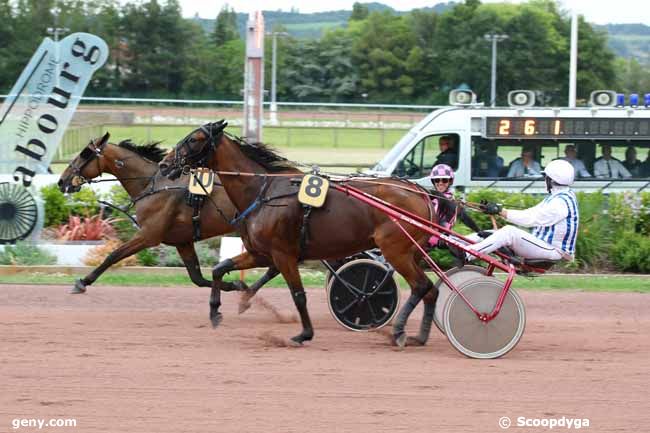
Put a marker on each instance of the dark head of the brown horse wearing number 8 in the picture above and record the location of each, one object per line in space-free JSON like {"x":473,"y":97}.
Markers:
{"x":192,"y":151}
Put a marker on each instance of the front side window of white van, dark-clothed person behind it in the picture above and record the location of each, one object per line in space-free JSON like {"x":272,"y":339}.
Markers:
{"x":428,"y":152}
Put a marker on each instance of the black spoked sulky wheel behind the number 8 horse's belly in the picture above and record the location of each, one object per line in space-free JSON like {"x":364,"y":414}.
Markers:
{"x":362,"y":304}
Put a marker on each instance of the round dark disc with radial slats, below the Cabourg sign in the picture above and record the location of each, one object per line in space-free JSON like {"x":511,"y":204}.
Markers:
{"x":18,"y":213}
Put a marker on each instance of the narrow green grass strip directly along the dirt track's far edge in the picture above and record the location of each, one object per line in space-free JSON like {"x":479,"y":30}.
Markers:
{"x":311,"y":278}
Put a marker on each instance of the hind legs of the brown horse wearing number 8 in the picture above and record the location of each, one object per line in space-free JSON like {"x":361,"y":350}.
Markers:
{"x":407,"y":266}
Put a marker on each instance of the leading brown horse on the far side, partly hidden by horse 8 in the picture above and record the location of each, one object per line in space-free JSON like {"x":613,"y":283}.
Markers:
{"x":159,"y":205}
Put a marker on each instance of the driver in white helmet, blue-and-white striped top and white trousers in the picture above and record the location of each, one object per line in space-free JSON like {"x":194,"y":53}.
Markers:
{"x":554,"y":221}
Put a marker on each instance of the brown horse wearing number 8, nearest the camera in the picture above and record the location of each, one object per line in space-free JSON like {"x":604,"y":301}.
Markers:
{"x":273,"y":219}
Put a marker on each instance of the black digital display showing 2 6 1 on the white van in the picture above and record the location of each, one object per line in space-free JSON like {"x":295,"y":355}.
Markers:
{"x":569,"y":127}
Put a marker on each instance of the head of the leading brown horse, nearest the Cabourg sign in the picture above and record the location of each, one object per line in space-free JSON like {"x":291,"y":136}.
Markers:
{"x":80,"y":169}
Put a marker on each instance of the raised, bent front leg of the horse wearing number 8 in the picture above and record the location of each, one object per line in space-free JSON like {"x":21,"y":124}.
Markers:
{"x":242,"y":261}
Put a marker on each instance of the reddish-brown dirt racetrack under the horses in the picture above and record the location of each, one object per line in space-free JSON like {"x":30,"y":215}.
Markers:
{"x":145,"y":360}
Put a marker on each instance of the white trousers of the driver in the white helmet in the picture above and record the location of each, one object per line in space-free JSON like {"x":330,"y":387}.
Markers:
{"x":520,"y":241}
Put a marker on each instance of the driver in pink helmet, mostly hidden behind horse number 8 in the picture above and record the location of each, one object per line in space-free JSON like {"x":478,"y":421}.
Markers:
{"x":442,"y":178}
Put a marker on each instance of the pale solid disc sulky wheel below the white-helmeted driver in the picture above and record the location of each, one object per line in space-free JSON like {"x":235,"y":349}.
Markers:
{"x":477,"y":339}
